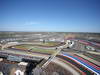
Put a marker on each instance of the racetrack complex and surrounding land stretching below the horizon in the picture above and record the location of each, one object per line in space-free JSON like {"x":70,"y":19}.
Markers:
{"x":49,"y":53}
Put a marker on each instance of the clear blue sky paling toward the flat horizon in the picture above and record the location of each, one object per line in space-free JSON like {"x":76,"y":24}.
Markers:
{"x":50,"y":15}
